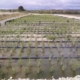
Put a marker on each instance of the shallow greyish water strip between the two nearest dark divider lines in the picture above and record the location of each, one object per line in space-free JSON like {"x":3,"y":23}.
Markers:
{"x":40,"y":52}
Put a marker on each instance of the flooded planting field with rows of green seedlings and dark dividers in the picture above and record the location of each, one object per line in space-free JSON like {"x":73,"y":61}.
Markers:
{"x":40,"y":46}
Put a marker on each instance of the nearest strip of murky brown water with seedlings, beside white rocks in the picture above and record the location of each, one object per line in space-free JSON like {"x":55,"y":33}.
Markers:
{"x":41,"y":68}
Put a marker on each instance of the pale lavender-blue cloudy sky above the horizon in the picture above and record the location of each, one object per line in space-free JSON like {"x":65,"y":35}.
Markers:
{"x":40,"y":4}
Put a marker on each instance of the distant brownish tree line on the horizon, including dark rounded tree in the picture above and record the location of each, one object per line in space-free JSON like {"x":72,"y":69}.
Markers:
{"x":53,"y":11}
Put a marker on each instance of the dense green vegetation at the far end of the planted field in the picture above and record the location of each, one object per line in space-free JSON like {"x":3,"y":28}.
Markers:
{"x":41,"y":18}
